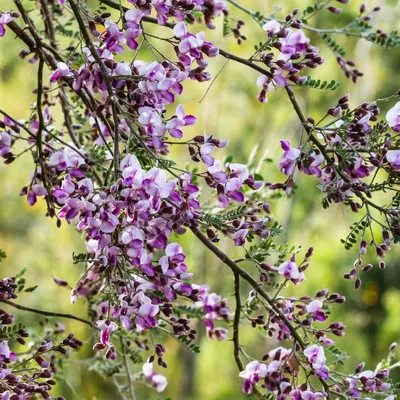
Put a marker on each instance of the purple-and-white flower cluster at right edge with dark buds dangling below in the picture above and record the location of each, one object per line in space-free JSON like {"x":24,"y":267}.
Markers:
{"x":354,"y":140}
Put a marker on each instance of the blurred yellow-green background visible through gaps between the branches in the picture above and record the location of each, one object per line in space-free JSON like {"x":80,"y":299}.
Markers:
{"x":230,"y":110}
